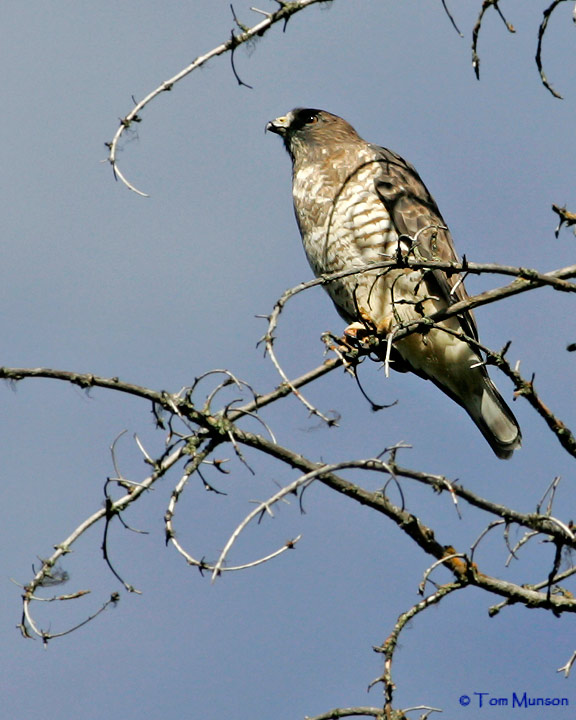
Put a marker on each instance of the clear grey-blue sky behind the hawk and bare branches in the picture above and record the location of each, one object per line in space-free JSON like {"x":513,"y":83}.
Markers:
{"x":159,"y":290}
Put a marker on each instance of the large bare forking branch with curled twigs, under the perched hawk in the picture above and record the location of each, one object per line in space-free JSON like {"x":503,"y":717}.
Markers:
{"x":197,"y":429}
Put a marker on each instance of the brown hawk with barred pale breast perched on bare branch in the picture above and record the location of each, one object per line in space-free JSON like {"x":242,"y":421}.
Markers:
{"x":356,"y":204}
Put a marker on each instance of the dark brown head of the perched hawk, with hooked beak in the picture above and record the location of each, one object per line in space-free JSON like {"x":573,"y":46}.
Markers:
{"x":303,"y":128}
